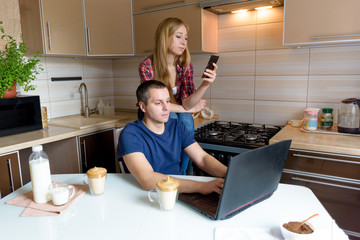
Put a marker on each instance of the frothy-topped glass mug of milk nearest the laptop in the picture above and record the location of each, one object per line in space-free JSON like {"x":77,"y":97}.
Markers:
{"x":166,"y":193}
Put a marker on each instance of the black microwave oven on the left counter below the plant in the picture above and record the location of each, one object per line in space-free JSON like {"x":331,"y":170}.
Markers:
{"x":19,"y":115}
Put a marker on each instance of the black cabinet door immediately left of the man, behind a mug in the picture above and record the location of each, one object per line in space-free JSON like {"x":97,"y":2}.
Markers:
{"x":97,"y":150}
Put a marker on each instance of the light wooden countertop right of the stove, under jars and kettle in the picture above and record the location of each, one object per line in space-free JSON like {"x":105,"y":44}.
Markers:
{"x":323,"y":142}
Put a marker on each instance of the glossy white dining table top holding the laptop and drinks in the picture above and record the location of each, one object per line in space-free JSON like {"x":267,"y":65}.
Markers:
{"x":124,"y":212}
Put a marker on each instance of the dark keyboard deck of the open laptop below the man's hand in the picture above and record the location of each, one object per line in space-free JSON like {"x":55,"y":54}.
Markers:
{"x":205,"y":203}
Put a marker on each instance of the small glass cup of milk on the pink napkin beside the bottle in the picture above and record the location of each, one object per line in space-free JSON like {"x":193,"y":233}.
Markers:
{"x":61,"y":193}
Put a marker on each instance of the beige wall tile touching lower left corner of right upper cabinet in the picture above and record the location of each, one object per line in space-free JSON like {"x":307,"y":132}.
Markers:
{"x":282,"y":62}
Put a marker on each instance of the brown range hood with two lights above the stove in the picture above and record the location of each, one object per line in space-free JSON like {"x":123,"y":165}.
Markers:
{"x":226,"y":6}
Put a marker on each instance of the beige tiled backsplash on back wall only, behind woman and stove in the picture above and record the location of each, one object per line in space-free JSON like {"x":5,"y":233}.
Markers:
{"x":259,"y":80}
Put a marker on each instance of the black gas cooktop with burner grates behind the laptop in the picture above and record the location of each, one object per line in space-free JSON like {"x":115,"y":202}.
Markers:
{"x":234,"y":134}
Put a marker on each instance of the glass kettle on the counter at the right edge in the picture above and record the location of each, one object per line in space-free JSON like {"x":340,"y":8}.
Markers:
{"x":349,"y":116}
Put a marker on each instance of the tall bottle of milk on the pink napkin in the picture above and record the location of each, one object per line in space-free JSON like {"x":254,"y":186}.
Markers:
{"x":40,"y":174}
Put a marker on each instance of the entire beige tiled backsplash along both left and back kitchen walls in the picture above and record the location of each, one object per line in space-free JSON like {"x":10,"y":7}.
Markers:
{"x":258,"y":79}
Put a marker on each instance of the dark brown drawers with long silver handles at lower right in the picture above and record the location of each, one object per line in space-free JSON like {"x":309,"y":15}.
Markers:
{"x":334,"y":179}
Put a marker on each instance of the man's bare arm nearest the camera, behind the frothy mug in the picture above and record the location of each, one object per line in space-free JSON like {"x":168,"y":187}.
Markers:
{"x":147,"y":178}
